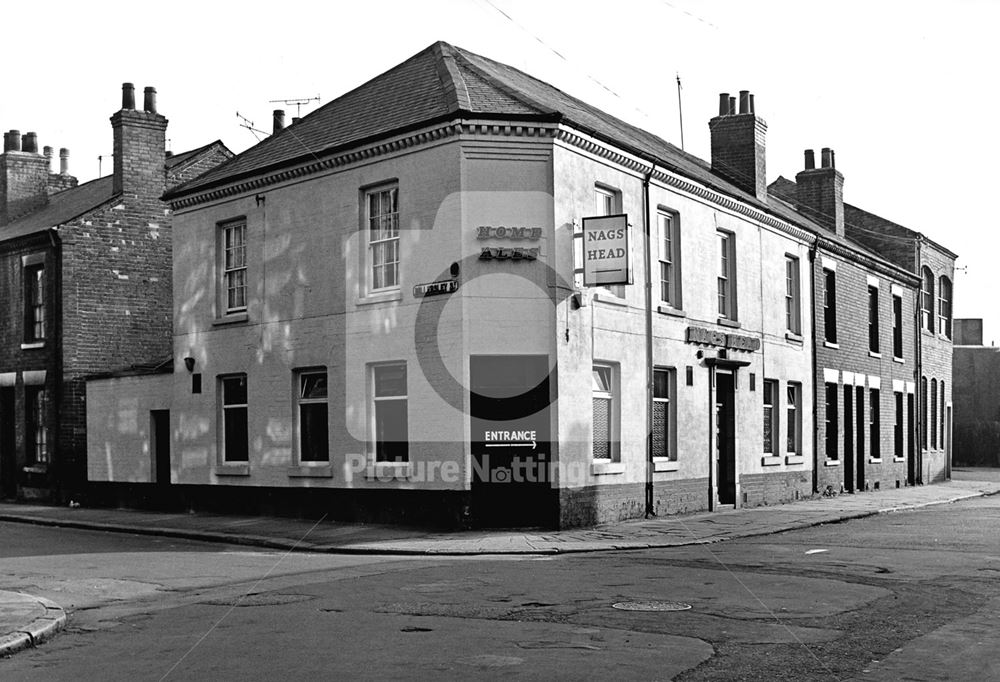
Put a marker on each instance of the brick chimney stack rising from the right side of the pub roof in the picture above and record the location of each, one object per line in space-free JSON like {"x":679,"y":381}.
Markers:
{"x":738,"y":142}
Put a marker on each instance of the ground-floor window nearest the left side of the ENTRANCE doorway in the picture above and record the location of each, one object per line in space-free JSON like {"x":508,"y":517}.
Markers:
{"x":390,"y":412}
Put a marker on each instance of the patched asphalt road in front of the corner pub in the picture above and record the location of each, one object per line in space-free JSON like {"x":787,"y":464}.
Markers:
{"x":912,"y":596}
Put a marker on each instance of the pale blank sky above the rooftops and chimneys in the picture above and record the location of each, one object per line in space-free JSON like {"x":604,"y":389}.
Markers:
{"x":904,"y":91}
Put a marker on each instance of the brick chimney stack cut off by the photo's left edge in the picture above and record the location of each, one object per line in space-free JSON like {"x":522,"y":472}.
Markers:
{"x":24,"y":175}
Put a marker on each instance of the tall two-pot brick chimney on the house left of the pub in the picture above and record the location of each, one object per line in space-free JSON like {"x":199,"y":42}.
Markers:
{"x":140,"y":144}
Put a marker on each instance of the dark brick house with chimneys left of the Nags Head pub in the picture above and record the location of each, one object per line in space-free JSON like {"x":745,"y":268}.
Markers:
{"x":85,"y":280}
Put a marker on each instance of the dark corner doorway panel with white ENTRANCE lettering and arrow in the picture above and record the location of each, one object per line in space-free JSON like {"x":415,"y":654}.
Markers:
{"x":511,"y":449}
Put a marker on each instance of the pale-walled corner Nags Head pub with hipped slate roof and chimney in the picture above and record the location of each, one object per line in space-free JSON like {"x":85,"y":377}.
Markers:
{"x":379,"y":312}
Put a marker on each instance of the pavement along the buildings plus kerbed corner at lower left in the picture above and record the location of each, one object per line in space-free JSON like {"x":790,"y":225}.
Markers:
{"x":29,"y":620}
